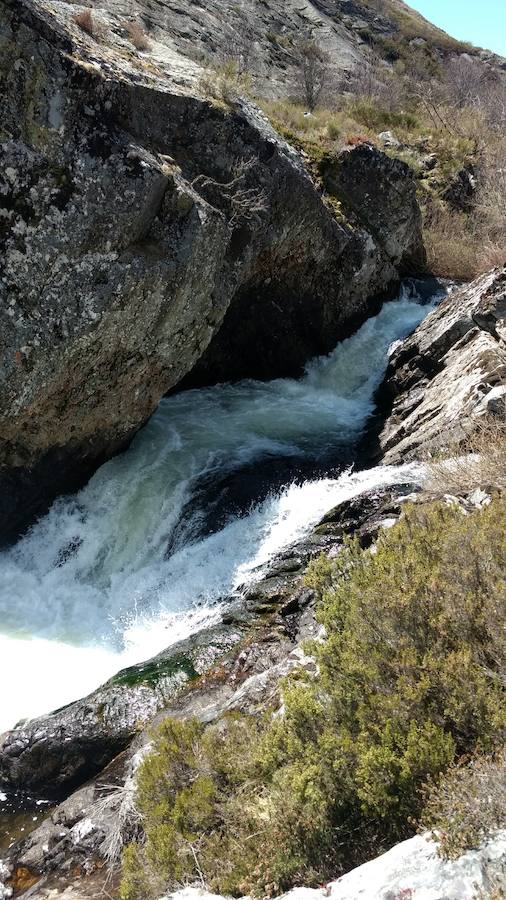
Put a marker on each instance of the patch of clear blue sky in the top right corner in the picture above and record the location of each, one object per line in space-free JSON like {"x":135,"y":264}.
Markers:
{"x":483,"y":22}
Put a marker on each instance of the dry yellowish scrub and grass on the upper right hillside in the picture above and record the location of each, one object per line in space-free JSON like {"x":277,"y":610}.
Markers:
{"x":447,"y":114}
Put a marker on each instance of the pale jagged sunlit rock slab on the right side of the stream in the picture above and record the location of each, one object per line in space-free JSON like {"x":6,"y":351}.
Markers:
{"x":449,"y":374}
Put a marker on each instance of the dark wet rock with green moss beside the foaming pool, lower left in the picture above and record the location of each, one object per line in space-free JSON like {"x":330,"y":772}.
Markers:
{"x":52,"y":754}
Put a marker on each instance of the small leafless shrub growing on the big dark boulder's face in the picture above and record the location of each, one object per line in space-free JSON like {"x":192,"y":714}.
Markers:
{"x":244,"y":204}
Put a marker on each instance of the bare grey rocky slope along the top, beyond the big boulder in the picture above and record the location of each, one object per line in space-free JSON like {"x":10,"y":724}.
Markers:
{"x":262,"y":36}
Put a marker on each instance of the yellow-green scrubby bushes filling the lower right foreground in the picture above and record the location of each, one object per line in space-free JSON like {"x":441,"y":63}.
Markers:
{"x":411,"y":677}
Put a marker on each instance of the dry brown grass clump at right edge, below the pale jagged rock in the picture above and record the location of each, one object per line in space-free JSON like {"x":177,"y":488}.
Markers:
{"x":477,"y":462}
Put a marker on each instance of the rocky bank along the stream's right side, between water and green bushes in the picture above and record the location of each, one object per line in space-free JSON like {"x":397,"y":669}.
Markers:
{"x":265,"y":632}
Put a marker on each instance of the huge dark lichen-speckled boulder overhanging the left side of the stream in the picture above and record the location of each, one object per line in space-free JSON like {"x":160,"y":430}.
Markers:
{"x":121,"y":254}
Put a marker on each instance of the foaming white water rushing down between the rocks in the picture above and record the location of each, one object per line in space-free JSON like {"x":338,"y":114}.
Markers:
{"x":91,"y":588}
